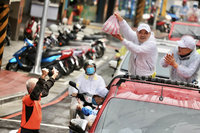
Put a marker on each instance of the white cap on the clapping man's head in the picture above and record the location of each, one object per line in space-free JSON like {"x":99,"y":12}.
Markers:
{"x":187,"y":42}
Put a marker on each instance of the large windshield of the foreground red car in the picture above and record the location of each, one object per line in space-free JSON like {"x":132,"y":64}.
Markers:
{"x":129,"y":116}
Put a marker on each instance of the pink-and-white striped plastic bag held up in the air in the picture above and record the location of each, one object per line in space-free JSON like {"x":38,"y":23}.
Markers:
{"x":111,"y":26}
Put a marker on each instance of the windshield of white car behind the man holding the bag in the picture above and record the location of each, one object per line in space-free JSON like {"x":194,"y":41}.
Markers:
{"x":160,"y":71}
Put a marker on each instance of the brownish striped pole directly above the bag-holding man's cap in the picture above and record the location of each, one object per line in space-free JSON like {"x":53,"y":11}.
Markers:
{"x":139,"y":12}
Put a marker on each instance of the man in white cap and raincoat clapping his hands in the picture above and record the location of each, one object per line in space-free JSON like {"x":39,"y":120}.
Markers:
{"x":184,"y":60}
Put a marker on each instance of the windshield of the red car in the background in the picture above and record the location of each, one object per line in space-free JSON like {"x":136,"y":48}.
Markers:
{"x":180,"y":30}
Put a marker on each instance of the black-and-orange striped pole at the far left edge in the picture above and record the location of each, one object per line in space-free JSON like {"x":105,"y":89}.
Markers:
{"x":4,"y":9}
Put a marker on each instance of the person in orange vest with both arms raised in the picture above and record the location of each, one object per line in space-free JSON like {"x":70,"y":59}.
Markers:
{"x":31,"y":109}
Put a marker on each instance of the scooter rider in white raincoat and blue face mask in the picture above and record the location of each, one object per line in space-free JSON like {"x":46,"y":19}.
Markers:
{"x":89,"y":83}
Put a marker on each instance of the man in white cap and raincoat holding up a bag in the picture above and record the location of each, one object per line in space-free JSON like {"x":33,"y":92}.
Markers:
{"x":142,"y":46}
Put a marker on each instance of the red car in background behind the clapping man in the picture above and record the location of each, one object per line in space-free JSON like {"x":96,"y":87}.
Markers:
{"x":178,"y":29}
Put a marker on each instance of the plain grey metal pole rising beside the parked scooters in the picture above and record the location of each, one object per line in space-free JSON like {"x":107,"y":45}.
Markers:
{"x":37,"y":68}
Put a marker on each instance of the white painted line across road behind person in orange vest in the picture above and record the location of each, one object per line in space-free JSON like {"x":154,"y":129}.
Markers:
{"x":42,"y":124}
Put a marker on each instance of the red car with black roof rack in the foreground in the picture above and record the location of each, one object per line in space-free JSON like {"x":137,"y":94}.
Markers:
{"x":145,"y":105}
